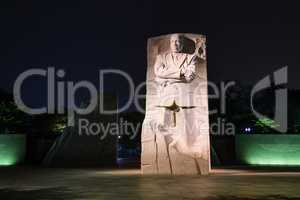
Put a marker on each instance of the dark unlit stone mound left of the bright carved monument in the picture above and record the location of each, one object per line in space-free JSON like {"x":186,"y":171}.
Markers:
{"x":86,"y":149}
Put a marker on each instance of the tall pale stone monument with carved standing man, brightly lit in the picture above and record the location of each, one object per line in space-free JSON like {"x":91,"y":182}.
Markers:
{"x":175,"y":133}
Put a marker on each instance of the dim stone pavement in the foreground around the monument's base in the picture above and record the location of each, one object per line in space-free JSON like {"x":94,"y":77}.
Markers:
{"x":97,"y":184}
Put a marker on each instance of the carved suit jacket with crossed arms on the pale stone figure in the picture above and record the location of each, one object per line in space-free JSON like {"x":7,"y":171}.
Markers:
{"x":173,"y":87}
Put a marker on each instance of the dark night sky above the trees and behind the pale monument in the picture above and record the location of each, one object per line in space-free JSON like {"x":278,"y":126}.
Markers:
{"x":246,"y":41}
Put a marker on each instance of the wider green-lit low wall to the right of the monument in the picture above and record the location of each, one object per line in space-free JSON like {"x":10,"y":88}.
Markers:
{"x":275,"y":150}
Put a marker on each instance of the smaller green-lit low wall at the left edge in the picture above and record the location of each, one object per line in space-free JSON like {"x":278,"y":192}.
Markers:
{"x":12,"y":149}
